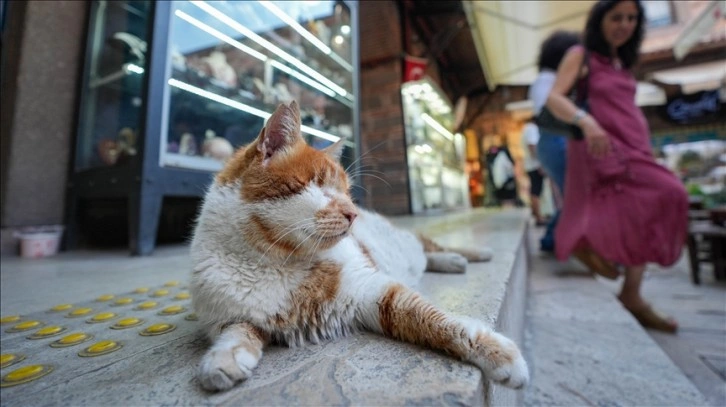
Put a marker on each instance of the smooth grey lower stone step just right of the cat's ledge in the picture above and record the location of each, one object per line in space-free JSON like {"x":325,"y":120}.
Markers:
{"x":584,"y":348}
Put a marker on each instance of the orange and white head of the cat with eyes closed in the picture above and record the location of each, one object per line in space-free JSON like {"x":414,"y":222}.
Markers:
{"x":297,"y":197}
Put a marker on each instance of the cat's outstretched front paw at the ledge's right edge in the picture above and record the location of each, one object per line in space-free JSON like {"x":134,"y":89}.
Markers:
{"x":499,"y":358}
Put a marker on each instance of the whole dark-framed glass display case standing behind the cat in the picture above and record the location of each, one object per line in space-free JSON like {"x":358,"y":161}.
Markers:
{"x":159,"y":124}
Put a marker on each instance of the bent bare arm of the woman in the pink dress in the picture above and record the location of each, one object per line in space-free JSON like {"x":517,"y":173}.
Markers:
{"x":562,"y":107}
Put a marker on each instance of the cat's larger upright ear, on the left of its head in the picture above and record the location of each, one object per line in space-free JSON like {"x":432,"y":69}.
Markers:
{"x":281,"y":132}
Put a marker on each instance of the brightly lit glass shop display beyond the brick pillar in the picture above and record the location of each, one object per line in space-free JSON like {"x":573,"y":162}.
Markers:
{"x":436,"y":157}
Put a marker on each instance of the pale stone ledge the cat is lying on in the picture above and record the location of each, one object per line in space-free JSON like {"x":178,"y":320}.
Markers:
{"x":363,"y":369}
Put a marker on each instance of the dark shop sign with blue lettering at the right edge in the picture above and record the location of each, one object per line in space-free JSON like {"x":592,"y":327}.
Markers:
{"x":700,"y":107}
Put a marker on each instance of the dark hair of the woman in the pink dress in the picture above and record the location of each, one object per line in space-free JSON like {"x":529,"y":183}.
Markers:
{"x":594,"y":40}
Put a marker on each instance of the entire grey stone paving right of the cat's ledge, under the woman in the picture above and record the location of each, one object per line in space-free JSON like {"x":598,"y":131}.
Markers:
{"x":584,"y":348}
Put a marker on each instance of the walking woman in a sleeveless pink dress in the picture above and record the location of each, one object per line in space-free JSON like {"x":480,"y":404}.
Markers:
{"x":618,"y":200}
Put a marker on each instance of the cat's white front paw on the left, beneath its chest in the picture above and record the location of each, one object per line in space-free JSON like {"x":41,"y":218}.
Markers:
{"x":222,"y":368}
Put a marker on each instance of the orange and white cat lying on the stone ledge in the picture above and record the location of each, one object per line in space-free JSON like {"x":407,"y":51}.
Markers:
{"x":282,"y":255}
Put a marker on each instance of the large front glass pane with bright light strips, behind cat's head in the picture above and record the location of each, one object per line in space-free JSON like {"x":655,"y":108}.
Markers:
{"x":231,"y":63}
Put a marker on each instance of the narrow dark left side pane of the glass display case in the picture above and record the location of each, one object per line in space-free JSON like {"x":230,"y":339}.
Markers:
{"x":112,"y":100}
